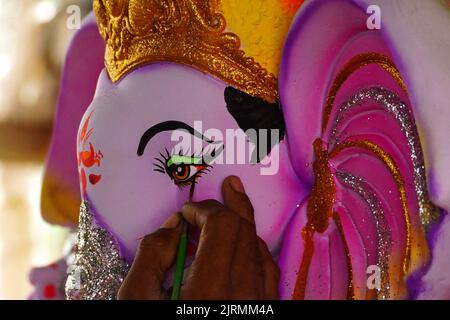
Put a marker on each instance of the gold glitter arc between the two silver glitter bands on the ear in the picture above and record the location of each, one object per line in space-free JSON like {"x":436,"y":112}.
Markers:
{"x":395,"y":172}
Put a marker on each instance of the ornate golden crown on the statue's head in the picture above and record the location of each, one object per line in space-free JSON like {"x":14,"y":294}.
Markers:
{"x":190,"y":32}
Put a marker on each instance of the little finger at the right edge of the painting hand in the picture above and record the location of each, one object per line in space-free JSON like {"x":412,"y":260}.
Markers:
{"x":271,"y":271}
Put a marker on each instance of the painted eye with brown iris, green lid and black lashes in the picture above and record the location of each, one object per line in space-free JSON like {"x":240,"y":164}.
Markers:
{"x":183,"y":170}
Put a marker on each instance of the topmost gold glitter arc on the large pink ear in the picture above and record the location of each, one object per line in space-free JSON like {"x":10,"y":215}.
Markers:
{"x":354,"y":64}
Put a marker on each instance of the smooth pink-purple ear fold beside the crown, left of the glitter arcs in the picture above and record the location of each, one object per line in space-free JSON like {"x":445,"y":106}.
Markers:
{"x":311,"y":50}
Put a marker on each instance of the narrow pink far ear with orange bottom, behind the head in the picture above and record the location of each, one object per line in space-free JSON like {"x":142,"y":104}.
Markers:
{"x":60,"y":197}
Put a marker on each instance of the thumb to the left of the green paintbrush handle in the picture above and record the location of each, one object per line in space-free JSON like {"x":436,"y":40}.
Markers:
{"x":154,"y":257}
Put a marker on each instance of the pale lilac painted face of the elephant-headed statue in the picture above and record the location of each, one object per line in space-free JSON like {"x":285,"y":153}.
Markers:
{"x":133,"y":194}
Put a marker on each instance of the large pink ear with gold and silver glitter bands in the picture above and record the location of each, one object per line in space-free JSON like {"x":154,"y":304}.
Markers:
{"x":341,"y":84}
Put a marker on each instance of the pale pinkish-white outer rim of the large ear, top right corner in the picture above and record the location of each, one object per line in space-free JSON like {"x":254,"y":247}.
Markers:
{"x":418,"y":35}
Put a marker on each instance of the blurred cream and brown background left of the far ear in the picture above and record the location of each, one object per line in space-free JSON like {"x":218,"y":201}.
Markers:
{"x":34,"y":35}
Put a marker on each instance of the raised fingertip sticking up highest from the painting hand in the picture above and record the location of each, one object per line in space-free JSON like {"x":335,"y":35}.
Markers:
{"x":236,"y":199}
